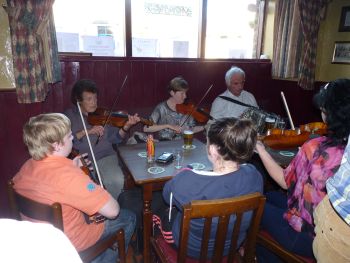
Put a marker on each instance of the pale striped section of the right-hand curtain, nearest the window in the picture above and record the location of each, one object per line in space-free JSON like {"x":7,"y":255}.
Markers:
{"x":288,"y":40}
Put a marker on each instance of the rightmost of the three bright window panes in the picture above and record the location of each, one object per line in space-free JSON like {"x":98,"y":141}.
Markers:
{"x":230,"y":28}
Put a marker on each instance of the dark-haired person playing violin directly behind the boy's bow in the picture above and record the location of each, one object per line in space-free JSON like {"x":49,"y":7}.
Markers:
{"x":102,"y":138}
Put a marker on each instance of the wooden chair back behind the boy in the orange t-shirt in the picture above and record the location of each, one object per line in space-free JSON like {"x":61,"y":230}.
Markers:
{"x":21,"y":205}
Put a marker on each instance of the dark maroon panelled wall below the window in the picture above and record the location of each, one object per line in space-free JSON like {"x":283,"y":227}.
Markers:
{"x":146,"y":86}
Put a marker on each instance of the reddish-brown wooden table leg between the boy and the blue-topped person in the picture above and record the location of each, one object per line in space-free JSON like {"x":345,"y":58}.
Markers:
{"x":147,"y":221}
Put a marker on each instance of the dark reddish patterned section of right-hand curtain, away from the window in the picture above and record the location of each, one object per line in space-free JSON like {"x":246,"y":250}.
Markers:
{"x":311,"y":13}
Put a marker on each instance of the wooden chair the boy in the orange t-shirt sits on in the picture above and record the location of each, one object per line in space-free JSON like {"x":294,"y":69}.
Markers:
{"x":21,"y":205}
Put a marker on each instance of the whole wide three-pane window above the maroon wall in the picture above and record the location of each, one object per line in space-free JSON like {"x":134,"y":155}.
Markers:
{"x":159,"y":28}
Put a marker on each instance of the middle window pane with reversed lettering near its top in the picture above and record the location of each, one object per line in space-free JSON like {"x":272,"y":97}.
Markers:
{"x":165,"y":28}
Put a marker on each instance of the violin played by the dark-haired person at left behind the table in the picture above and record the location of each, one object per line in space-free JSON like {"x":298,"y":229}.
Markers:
{"x":117,"y":119}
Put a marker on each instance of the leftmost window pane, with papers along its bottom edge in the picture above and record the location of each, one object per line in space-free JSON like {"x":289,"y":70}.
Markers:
{"x":90,"y":26}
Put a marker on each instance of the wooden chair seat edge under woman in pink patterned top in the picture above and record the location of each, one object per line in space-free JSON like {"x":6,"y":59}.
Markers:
{"x":265,"y":239}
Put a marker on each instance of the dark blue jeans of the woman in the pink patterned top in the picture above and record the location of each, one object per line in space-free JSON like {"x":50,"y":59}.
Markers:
{"x":273,"y":222}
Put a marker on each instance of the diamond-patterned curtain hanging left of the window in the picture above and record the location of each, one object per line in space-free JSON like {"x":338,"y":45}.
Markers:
{"x":34,"y":48}
